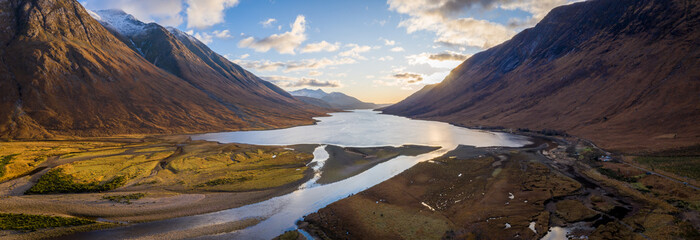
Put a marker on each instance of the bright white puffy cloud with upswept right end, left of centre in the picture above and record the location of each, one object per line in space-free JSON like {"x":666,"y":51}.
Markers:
{"x":284,"y":43}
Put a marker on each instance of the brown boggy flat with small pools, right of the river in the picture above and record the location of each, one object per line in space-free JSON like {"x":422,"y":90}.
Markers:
{"x":506,"y":193}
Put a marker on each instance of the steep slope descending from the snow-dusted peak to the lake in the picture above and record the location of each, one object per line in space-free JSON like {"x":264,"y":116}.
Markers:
{"x":253,"y":99}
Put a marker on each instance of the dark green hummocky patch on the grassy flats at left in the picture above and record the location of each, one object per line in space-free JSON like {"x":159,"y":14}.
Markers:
{"x":55,"y":181}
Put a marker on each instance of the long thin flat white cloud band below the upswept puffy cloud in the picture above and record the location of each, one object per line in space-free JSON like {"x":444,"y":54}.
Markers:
{"x":295,"y":65}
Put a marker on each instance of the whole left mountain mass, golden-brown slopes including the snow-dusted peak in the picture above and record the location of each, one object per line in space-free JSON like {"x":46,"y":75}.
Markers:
{"x":63,"y":73}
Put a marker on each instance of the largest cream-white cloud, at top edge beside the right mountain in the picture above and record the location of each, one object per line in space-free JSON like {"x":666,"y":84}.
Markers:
{"x":443,"y":17}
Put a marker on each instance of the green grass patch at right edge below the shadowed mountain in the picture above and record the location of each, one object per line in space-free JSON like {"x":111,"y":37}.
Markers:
{"x":686,"y":166}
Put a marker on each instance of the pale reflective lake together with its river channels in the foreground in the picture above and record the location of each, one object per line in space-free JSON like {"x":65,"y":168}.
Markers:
{"x":360,"y":128}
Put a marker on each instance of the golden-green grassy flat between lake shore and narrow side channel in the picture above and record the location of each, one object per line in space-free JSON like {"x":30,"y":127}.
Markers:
{"x":254,"y":167}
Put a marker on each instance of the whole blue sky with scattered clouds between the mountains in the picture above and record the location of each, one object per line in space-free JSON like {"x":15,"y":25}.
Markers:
{"x":378,"y":51}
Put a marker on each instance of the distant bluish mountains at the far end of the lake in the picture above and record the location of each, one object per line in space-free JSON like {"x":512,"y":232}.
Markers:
{"x":335,"y":99}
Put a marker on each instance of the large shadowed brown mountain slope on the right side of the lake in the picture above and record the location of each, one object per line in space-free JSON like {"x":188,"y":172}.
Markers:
{"x":623,"y":73}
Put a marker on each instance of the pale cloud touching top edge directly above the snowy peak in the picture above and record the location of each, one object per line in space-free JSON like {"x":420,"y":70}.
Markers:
{"x":164,"y":12}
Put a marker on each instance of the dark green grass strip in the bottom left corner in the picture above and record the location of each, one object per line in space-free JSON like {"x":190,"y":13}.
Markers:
{"x":25,"y":222}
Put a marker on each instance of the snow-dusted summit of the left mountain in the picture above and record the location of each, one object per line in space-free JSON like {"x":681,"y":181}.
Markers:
{"x":120,"y":21}
